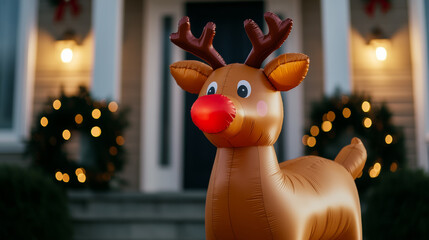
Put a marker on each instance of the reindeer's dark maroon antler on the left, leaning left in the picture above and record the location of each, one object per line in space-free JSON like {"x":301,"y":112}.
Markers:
{"x":201,"y":47}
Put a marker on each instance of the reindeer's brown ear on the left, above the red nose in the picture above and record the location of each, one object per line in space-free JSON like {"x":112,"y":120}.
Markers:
{"x":190,"y":75}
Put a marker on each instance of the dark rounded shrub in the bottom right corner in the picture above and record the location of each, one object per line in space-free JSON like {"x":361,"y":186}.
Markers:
{"x":398,"y":207}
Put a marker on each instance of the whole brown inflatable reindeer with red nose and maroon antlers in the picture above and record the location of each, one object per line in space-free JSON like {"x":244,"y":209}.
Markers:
{"x":240,"y":110}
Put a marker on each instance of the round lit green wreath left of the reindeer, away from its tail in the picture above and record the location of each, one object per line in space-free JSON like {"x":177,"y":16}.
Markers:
{"x":95,"y":127}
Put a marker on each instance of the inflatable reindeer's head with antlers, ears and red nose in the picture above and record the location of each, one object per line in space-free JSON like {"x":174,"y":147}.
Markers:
{"x":239,"y":104}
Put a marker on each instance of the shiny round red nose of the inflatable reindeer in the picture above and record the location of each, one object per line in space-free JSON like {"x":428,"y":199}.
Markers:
{"x":213,"y":113}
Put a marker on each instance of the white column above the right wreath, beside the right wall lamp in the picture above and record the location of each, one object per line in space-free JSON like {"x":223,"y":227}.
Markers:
{"x":336,"y":41}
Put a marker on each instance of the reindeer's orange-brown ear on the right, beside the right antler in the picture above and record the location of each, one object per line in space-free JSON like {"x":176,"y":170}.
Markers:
{"x":287,"y":70}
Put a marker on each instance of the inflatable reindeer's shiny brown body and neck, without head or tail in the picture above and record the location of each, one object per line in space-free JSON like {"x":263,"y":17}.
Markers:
{"x":251,"y":197}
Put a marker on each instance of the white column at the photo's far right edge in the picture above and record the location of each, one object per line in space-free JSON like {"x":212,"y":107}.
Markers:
{"x":419,"y":50}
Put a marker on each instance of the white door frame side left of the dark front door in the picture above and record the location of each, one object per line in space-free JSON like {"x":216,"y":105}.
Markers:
{"x":153,"y":176}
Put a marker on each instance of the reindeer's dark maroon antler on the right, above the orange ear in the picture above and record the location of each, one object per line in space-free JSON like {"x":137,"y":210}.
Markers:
{"x":264,"y":45}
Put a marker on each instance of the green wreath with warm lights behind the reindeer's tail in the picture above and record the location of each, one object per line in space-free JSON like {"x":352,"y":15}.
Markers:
{"x":336,"y":120}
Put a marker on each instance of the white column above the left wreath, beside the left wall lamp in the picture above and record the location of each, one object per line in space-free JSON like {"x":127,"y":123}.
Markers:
{"x":107,"y":20}
